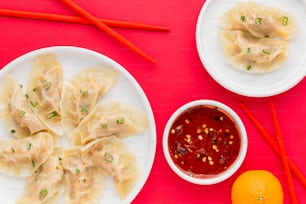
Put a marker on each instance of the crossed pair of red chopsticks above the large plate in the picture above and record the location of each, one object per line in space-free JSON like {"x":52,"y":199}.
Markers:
{"x":87,"y":18}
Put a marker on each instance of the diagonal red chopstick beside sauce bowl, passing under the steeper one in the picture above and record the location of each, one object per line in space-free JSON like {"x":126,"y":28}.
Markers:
{"x":273,"y":145}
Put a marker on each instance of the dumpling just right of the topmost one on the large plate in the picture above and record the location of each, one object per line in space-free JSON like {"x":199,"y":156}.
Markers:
{"x":81,"y":93}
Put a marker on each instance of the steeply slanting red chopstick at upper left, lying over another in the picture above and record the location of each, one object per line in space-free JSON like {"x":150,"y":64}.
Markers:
{"x":92,"y":19}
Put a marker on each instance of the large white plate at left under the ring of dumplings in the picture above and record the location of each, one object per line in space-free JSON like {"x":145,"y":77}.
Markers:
{"x":126,"y":90}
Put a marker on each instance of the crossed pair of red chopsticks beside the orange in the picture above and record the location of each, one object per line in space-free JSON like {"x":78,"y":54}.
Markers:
{"x":279,"y":149}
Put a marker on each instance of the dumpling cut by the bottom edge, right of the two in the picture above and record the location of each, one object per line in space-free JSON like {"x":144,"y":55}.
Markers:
{"x":83,"y":184}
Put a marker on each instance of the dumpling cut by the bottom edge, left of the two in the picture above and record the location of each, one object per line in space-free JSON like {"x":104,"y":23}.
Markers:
{"x":44,"y":185}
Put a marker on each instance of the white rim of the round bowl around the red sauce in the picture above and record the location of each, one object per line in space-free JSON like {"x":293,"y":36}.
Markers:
{"x":218,"y":177}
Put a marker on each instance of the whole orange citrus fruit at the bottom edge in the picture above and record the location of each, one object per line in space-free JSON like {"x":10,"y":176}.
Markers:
{"x":257,"y":187}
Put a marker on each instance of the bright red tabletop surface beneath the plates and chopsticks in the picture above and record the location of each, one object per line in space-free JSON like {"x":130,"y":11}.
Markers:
{"x":177,"y":78}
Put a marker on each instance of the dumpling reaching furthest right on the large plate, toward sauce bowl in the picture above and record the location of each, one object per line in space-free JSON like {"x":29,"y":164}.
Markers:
{"x":110,"y":119}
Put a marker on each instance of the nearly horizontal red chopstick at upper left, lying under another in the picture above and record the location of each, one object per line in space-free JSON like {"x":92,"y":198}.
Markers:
{"x":74,"y":19}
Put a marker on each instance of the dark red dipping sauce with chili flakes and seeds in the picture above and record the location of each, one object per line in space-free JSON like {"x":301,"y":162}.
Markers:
{"x":204,"y":140}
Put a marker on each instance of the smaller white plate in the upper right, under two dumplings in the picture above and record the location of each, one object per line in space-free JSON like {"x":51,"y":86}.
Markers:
{"x":212,"y":55}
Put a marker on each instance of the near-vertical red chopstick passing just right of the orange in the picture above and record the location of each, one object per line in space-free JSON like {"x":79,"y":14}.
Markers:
{"x":283,"y":155}
